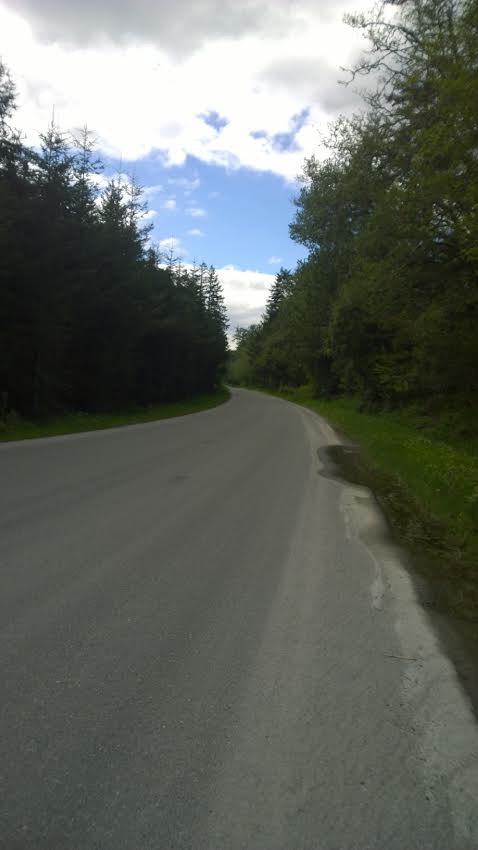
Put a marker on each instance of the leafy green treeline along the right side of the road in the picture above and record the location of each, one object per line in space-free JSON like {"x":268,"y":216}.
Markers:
{"x":386,"y":304}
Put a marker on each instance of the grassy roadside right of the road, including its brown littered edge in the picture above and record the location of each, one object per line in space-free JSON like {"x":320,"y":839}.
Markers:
{"x":426,"y":478}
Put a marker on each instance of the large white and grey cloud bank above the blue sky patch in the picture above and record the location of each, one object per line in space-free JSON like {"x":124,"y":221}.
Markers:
{"x":255,"y":64}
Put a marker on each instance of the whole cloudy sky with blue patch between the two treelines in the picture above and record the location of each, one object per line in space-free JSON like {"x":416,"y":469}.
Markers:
{"x":212,"y":104}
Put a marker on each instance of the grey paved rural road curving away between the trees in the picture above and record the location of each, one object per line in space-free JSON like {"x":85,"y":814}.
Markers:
{"x":208,"y":645}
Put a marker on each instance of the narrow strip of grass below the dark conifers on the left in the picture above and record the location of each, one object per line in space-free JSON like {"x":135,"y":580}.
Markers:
{"x":72,"y":423}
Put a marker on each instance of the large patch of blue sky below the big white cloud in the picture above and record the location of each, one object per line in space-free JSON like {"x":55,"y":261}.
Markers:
{"x":228,"y":217}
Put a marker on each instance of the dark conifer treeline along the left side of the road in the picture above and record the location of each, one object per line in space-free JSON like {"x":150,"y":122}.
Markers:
{"x":91,"y":317}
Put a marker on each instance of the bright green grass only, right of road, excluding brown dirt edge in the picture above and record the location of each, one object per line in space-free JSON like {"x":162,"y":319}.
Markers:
{"x":424,"y":456}
